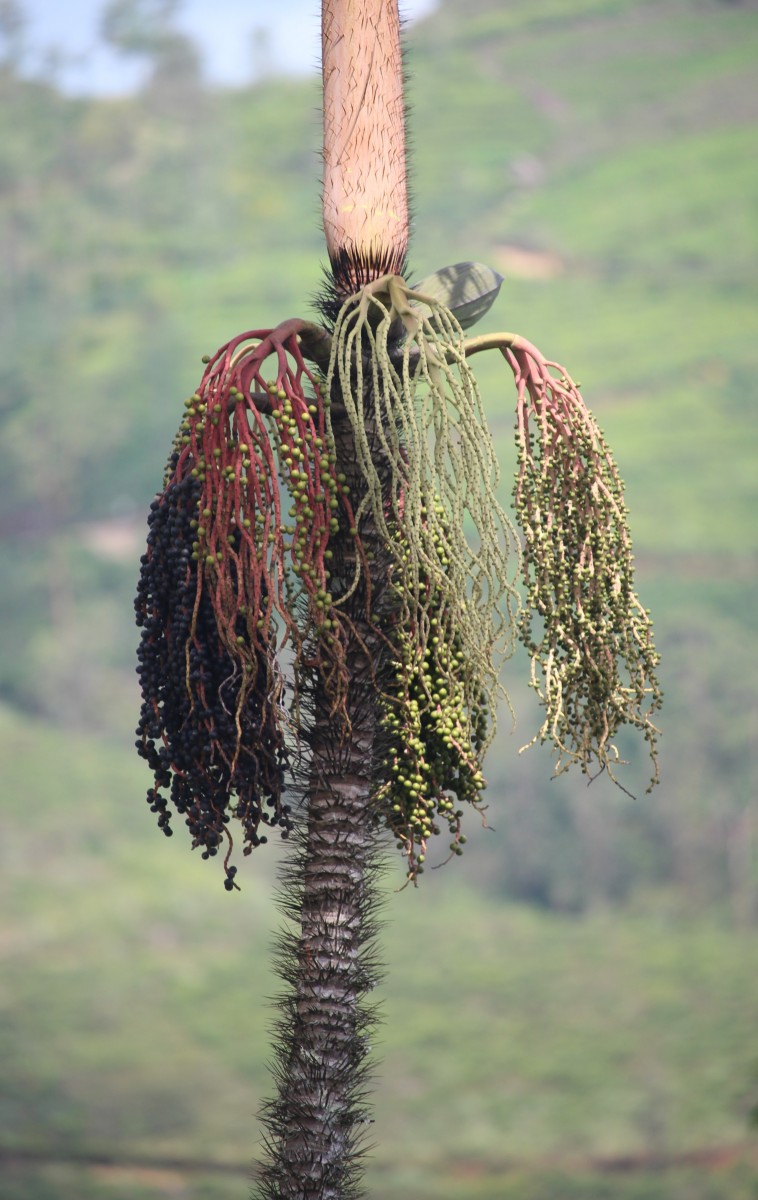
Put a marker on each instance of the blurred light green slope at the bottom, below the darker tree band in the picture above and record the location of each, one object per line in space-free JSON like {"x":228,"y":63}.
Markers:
{"x":521,"y":1053}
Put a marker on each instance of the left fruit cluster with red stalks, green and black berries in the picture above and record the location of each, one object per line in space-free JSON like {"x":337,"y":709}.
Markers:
{"x":230,"y":579}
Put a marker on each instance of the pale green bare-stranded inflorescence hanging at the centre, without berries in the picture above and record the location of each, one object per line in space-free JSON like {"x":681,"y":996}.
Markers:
{"x":431,"y":491}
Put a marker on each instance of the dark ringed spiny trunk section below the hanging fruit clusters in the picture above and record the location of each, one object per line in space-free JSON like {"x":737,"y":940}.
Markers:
{"x":316,"y":1126}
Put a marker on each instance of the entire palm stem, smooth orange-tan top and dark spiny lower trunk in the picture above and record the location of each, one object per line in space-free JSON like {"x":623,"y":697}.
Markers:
{"x":316,"y":1124}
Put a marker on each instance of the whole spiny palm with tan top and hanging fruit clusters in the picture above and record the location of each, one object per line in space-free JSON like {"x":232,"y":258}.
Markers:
{"x":396,"y":622}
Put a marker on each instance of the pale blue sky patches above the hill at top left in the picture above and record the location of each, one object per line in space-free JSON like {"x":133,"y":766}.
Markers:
{"x":224,"y":29}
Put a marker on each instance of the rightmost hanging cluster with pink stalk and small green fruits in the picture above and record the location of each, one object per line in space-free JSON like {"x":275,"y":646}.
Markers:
{"x":591,"y":641}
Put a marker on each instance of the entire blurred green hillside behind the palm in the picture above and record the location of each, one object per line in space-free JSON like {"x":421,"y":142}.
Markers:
{"x":581,"y":987}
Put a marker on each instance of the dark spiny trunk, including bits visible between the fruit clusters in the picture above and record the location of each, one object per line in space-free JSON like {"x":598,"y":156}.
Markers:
{"x":317,"y":1123}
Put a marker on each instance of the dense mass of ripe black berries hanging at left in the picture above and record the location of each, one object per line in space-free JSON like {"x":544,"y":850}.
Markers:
{"x":214,"y":746}
